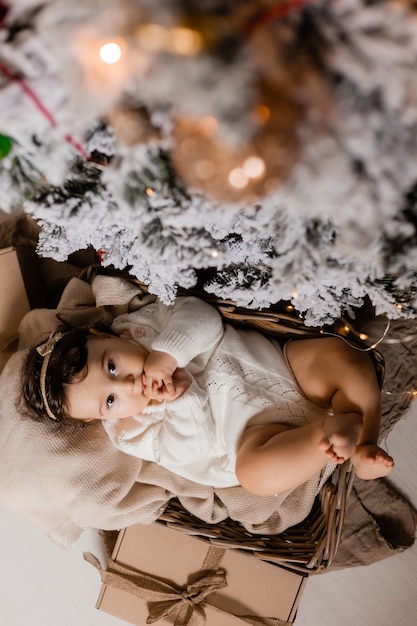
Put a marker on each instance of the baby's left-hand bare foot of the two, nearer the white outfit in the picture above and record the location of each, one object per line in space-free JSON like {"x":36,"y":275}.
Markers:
{"x":341,"y":435}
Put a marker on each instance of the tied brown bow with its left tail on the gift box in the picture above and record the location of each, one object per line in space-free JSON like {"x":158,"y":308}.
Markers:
{"x":186,"y":604}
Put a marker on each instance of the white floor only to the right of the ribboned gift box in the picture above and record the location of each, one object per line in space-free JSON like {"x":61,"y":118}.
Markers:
{"x":383,"y":594}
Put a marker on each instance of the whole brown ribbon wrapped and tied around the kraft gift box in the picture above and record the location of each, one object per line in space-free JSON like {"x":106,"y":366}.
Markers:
{"x":187,"y":603}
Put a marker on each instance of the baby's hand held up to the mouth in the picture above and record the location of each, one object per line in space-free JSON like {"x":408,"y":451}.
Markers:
{"x":157,"y":379}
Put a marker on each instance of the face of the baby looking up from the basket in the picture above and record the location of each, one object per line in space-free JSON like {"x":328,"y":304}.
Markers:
{"x":113,"y":387}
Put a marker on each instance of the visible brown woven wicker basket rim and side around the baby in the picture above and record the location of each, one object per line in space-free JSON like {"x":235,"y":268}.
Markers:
{"x":311,"y":545}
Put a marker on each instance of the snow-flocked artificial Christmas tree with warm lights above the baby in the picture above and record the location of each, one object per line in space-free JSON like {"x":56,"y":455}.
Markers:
{"x":270,"y":141}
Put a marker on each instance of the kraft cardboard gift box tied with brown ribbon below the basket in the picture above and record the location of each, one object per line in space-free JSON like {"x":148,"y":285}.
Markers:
{"x":153,"y":569}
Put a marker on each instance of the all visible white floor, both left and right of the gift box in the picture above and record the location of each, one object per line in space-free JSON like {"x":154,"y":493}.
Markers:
{"x":42,"y":585}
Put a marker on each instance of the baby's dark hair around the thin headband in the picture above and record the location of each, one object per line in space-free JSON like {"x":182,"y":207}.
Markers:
{"x":68,"y":361}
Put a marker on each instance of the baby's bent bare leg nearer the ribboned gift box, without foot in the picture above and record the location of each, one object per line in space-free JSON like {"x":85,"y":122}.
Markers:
{"x":276,"y":457}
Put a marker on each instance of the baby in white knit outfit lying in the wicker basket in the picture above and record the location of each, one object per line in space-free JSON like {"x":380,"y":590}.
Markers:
{"x":219,"y":406}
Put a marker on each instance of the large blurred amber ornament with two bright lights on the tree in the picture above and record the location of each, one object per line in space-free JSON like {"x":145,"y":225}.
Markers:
{"x":247,"y":170}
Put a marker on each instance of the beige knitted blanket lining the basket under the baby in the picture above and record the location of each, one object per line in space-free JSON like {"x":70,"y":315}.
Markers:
{"x":66,"y":478}
